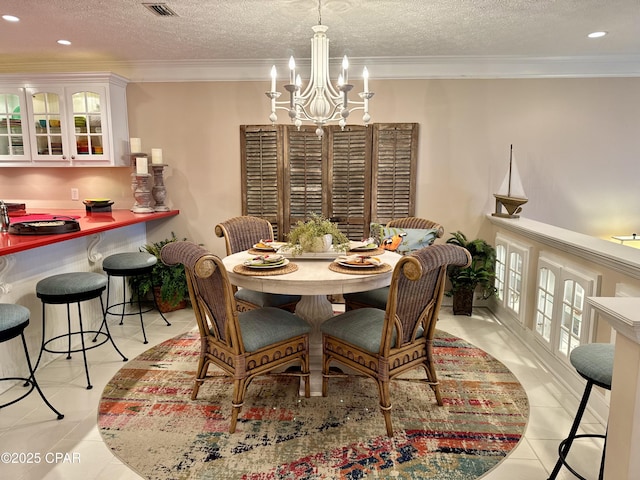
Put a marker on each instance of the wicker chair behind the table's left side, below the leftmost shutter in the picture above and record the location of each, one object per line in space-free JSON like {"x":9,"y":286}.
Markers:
{"x":240,"y":234}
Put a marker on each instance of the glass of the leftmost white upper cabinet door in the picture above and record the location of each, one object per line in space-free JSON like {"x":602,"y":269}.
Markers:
{"x":13,"y":131}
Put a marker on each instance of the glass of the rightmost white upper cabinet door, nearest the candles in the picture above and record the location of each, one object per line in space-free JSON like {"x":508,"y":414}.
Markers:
{"x":87,"y":118}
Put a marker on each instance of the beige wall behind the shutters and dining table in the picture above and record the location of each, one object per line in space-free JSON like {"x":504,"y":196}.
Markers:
{"x":575,"y":141}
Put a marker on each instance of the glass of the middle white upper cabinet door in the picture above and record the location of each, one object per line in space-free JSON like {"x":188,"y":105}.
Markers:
{"x":47,"y":116}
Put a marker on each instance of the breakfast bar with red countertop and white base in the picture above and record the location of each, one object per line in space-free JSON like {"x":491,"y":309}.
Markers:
{"x":27,"y":259}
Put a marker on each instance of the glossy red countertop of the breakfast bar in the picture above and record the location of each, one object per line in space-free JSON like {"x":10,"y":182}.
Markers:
{"x":90,"y":224}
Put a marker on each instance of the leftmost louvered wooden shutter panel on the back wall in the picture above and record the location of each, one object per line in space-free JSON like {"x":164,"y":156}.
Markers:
{"x":261,"y":156}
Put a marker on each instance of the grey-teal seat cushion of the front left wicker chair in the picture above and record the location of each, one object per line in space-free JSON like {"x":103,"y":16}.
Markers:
{"x":265,"y":326}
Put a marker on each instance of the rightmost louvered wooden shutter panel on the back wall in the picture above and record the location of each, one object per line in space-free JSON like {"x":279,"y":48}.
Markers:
{"x":394,"y":170}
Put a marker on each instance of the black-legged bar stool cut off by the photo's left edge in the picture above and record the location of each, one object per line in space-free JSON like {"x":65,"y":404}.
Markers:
{"x":13,"y":320}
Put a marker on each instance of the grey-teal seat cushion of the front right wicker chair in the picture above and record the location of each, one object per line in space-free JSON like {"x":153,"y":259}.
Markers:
{"x":361,"y":327}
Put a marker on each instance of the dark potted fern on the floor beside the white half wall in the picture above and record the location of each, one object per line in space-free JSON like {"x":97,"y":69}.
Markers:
{"x":479,"y":275}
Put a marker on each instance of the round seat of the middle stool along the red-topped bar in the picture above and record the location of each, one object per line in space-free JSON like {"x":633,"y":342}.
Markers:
{"x":71,"y":287}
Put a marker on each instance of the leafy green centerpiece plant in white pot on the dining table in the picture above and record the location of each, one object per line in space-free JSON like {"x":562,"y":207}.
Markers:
{"x":317,"y":234}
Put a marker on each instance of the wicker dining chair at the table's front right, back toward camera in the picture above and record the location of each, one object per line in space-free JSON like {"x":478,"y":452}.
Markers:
{"x":383,"y":344}
